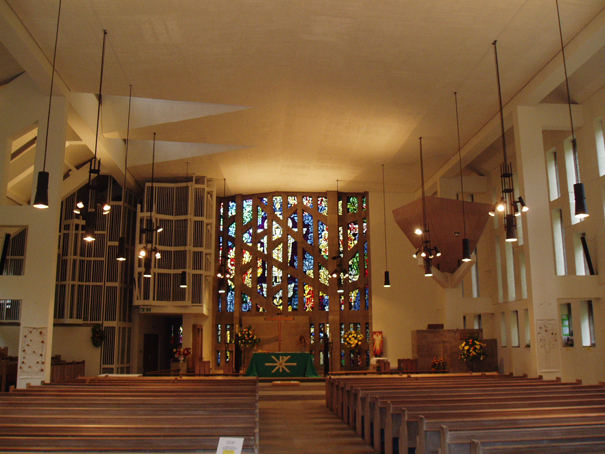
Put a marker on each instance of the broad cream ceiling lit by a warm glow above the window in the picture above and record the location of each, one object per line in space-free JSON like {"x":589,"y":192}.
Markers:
{"x":310,"y":92}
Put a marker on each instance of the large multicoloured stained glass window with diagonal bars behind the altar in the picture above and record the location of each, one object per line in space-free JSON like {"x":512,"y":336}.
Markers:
{"x":282,"y":251}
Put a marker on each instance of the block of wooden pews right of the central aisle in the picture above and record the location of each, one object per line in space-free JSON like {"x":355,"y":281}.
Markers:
{"x":470,"y":414}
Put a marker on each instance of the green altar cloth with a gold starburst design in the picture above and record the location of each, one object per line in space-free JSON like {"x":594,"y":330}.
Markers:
{"x":281,"y":365}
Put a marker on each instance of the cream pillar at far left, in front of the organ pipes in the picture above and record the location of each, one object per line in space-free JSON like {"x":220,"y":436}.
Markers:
{"x":36,"y":287}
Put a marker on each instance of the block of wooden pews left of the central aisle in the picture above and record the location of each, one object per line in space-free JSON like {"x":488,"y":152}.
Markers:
{"x":116,"y":414}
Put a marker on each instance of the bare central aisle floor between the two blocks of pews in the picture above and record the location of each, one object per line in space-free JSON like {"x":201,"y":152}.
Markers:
{"x":295,"y":420}
